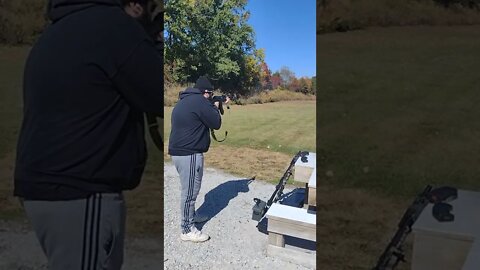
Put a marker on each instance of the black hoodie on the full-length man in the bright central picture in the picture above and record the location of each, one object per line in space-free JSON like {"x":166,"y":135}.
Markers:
{"x":192,"y":118}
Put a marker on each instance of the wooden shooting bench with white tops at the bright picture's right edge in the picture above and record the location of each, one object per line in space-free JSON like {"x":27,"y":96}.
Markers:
{"x":295,"y":223}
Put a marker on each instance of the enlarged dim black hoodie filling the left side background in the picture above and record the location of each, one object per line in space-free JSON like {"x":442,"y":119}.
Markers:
{"x":88,"y":80}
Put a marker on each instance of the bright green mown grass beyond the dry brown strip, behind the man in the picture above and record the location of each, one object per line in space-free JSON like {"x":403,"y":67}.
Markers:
{"x":285,"y":127}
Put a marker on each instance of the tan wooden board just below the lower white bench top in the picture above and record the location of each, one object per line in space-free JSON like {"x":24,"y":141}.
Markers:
{"x":292,"y":229}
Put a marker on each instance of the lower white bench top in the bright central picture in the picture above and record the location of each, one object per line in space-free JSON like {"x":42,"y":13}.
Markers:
{"x":291,"y":214}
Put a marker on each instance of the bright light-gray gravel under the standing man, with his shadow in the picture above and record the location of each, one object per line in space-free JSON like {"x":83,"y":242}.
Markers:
{"x":235,"y":241}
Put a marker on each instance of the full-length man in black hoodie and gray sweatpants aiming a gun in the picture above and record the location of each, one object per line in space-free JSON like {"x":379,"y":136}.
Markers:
{"x":192,"y":118}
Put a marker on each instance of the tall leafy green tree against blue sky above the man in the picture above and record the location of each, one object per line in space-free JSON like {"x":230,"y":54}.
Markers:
{"x":213,"y":38}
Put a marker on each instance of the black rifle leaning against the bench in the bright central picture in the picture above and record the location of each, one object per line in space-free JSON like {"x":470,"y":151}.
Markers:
{"x":260,"y":208}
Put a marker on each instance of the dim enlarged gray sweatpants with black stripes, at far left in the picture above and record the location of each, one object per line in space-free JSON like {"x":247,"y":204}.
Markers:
{"x":84,"y":234}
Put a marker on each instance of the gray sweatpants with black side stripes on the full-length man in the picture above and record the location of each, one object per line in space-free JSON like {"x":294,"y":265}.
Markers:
{"x":190,"y":169}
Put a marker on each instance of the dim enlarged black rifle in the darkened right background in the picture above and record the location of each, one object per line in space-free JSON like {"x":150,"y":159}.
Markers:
{"x":394,"y":252}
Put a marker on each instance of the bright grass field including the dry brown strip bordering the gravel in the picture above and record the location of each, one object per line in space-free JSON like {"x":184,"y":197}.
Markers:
{"x":262,"y":138}
